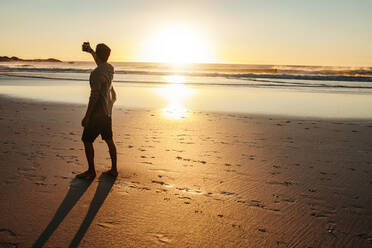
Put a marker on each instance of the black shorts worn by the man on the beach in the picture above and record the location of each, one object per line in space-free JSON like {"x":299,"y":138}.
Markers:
{"x":101,"y":126}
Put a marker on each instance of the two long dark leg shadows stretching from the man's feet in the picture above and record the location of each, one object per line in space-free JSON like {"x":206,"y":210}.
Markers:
{"x":77,"y":189}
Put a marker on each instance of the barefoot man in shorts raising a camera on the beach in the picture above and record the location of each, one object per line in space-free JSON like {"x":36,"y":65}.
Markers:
{"x":97,"y":120}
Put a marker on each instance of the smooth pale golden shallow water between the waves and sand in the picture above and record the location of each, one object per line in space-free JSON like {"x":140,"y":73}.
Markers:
{"x":332,"y":103}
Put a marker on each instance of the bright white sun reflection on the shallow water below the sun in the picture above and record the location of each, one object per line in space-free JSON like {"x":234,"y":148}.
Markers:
{"x":175,"y":94}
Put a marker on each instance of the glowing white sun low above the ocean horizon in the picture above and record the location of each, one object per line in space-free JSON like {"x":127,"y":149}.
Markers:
{"x":176,"y":44}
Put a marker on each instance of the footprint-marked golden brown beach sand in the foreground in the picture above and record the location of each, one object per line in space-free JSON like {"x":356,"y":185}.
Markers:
{"x":209,"y":180}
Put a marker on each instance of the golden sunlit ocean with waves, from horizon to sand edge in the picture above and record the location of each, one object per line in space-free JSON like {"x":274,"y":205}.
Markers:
{"x":179,"y":90}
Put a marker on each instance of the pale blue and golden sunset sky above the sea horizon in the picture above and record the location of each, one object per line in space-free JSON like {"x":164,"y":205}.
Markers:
{"x":317,"y":32}
